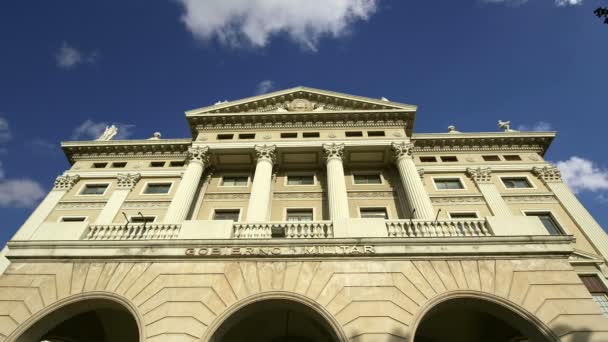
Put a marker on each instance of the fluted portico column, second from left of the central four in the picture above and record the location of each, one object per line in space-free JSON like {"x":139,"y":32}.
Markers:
{"x":259,"y":201}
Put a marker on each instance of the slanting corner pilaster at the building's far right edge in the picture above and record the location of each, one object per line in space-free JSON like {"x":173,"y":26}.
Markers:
{"x":551,"y":176}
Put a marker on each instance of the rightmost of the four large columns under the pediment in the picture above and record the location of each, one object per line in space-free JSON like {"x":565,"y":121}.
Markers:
{"x":415,"y":193}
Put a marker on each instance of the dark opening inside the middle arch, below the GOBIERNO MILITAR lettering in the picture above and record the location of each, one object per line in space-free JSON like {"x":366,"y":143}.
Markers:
{"x":275,"y":320}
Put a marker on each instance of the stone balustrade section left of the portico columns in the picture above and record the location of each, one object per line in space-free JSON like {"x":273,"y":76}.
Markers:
{"x":150,"y":231}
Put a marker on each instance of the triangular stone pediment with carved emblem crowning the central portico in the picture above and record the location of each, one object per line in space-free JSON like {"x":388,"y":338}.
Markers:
{"x":301,"y":99}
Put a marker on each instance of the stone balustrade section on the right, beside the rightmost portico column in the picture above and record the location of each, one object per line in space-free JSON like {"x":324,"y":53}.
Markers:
{"x":444,"y":228}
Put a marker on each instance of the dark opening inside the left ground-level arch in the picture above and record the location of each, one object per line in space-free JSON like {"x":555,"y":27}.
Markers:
{"x":91,"y":320}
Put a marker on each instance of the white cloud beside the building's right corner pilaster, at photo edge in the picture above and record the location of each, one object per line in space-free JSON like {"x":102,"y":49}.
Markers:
{"x":583,"y":175}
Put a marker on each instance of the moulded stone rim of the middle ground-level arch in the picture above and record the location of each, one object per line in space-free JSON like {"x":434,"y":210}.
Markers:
{"x":314,"y":307}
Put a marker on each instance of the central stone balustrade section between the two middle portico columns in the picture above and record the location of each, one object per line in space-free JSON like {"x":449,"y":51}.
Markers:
{"x":289,"y":230}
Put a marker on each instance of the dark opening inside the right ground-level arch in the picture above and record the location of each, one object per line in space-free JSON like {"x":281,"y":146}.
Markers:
{"x":476,"y":320}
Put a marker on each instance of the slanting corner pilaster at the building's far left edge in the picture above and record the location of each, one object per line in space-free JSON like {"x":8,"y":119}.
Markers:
{"x":62,"y":185}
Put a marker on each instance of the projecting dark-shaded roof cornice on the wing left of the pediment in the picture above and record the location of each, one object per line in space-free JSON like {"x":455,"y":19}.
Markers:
{"x":125,"y":149}
